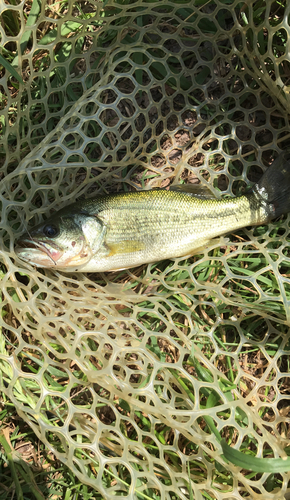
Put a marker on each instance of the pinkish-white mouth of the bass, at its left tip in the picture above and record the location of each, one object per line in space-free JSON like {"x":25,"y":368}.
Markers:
{"x":38,"y":249}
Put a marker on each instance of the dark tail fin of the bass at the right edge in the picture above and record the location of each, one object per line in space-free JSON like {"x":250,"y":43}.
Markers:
{"x":274,"y":186}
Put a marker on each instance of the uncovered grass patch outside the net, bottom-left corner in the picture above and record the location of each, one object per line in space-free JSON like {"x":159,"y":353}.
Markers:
{"x":39,"y":476}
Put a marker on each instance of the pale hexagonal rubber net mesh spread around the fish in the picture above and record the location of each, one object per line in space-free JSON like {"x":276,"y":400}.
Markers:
{"x":131,"y":377}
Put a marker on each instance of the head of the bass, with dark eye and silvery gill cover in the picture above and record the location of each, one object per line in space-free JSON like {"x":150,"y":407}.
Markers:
{"x":64,"y":240}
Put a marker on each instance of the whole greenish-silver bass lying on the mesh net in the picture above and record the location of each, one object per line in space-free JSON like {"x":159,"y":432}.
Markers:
{"x":123,"y":230}
